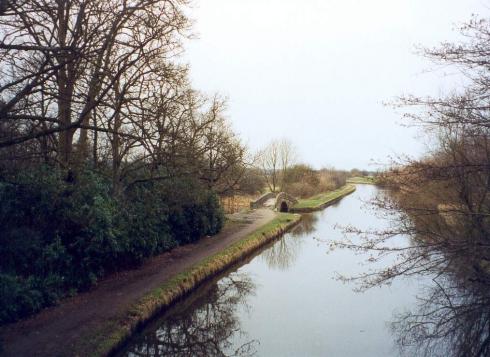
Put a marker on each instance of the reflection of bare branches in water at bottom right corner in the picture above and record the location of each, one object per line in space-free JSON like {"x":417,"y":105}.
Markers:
{"x":453,"y":318}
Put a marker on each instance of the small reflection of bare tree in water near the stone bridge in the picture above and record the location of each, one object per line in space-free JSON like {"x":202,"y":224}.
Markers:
{"x":283,"y":253}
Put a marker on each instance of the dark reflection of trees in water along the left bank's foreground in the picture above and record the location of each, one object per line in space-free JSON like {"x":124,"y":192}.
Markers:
{"x":205,"y":326}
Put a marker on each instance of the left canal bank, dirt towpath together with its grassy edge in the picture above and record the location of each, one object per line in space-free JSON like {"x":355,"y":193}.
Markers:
{"x":94,"y":323}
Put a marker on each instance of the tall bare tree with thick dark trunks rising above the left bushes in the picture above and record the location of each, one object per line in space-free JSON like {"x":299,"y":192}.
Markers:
{"x":62,"y":59}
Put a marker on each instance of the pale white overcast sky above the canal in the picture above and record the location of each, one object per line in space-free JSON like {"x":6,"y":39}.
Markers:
{"x":318,"y":71}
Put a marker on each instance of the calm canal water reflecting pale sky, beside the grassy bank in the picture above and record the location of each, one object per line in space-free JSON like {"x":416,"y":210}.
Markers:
{"x":287,"y":300}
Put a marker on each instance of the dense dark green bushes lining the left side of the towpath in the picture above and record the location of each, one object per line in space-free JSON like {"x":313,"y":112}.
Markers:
{"x":62,"y":232}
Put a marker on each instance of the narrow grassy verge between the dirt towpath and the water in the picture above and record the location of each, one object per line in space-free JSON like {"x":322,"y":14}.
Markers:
{"x":112,"y":335}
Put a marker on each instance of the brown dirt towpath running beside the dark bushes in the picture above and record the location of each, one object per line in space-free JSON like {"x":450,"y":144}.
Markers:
{"x":56,"y":330}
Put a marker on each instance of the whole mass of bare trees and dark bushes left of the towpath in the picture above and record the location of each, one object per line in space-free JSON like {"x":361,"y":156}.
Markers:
{"x":107,"y":154}
